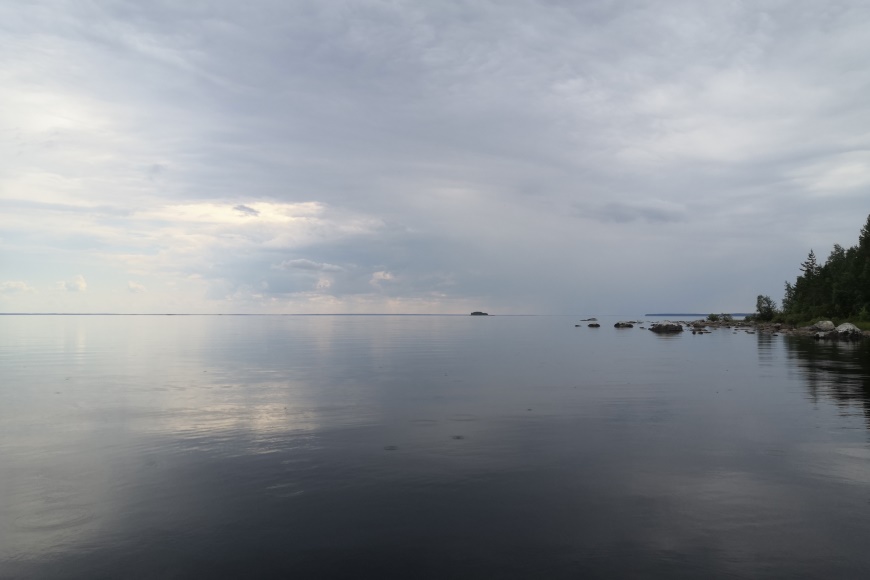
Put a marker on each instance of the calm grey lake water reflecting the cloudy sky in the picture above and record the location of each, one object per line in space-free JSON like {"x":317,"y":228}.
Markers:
{"x":426,"y":447}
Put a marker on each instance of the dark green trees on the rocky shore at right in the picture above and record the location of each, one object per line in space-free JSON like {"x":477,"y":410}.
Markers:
{"x":839,"y":288}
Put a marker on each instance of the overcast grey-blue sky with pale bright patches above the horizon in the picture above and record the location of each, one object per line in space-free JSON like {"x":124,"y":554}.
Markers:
{"x":519,"y":157}
